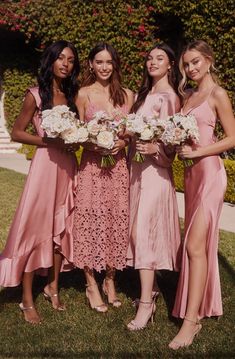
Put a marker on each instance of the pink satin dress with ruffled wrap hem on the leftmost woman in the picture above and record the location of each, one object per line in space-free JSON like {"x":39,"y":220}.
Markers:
{"x":44,"y":217}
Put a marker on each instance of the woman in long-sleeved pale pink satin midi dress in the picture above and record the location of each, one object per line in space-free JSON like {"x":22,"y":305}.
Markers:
{"x":154,"y":222}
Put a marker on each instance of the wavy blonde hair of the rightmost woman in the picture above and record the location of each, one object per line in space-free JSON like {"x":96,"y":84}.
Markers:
{"x":204,"y":49}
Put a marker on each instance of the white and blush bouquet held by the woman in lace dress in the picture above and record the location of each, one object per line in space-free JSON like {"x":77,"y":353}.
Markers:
{"x":103,"y":131}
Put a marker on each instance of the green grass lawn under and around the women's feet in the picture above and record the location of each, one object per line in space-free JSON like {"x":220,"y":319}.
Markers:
{"x":80,"y":332}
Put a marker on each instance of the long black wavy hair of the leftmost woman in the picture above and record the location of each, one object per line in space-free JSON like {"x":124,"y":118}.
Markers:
{"x":45,"y":77}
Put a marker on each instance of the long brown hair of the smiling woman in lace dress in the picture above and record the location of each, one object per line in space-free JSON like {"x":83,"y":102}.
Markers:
{"x":117,"y":92}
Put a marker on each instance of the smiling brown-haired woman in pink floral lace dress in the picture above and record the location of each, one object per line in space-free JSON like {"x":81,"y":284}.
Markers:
{"x":101,"y":204}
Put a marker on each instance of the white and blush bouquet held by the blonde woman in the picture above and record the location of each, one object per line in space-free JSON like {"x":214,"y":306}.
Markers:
{"x":179,"y":130}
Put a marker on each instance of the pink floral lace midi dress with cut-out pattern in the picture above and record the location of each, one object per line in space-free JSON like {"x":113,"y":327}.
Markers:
{"x":101,"y":210}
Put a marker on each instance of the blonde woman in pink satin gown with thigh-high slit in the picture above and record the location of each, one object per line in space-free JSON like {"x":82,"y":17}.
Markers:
{"x":199,"y":294}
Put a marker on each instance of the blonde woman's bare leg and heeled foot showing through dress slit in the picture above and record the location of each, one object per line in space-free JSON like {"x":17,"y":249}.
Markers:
{"x":196,"y":251}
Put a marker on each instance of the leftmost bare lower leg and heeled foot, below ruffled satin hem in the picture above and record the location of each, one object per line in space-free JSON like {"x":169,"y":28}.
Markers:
{"x":27,"y":305}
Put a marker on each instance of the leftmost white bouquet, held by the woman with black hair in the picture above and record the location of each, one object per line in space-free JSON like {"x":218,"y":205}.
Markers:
{"x":61,"y":122}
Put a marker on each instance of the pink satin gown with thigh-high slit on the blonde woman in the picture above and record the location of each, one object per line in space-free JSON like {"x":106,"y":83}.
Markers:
{"x":205,"y":185}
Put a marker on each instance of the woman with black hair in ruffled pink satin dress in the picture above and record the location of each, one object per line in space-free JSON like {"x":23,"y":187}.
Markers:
{"x":41,"y":233}
